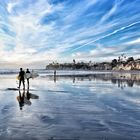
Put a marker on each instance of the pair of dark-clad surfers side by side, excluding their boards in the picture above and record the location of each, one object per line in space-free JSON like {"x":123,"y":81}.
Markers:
{"x":21,"y":76}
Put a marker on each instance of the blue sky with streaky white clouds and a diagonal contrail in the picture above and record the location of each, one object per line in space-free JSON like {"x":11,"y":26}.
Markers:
{"x":34,"y":33}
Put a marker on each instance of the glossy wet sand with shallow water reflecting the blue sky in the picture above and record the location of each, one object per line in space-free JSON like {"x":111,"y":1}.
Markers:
{"x":91,"y":107}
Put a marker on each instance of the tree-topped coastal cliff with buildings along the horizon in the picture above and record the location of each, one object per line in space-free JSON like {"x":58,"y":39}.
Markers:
{"x":122,"y":63}
